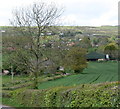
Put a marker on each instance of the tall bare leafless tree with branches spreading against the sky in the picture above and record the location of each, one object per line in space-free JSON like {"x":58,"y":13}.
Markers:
{"x":32,"y":22}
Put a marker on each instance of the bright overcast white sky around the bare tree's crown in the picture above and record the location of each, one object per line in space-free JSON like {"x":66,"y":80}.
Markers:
{"x":77,"y":12}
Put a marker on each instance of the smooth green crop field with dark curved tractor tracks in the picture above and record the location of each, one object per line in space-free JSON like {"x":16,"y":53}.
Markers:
{"x":95,"y":73}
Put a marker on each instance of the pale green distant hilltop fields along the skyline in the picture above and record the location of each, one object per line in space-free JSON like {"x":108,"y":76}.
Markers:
{"x":102,"y":31}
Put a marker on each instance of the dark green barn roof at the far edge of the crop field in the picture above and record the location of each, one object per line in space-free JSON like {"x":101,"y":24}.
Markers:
{"x":95,"y":55}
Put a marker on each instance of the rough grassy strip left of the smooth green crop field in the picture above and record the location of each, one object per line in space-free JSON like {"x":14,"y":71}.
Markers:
{"x":23,"y":81}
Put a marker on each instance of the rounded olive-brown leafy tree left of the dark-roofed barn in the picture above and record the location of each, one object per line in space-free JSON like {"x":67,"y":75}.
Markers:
{"x":75,"y":59}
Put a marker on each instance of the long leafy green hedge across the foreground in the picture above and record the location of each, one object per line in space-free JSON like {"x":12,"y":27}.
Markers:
{"x":100,"y":95}
